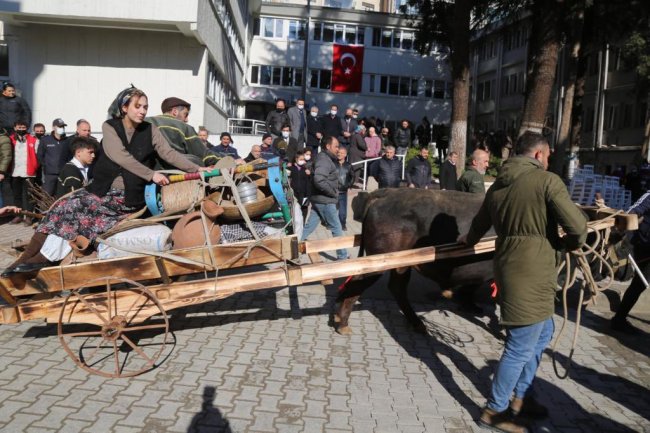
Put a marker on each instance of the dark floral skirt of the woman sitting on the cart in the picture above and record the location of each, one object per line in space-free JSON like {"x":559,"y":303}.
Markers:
{"x":85,"y":214}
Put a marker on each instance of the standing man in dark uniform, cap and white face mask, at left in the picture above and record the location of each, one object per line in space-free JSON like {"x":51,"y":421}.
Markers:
{"x":51,"y":152}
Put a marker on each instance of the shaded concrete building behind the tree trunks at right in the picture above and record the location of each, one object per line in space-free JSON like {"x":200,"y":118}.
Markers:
{"x":614,"y":117}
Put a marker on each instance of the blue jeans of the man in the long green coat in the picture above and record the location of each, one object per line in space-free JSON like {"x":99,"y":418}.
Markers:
{"x":519,"y":361}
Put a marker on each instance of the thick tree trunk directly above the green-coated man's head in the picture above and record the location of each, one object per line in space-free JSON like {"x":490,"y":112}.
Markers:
{"x":542,"y":63}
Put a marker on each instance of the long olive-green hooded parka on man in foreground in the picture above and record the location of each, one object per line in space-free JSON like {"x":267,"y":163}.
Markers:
{"x":525,"y":204}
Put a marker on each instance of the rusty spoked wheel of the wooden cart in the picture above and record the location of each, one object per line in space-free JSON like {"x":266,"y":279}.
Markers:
{"x":125,"y":327}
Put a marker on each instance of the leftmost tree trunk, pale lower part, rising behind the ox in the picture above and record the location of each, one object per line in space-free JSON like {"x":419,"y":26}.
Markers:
{"x":460,"y":74}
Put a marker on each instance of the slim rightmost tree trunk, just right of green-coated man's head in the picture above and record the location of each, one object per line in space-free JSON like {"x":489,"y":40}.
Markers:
{"x":576,"y":26}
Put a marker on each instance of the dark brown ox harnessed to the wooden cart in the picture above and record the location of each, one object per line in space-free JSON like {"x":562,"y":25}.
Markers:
{"x":402,"y":219}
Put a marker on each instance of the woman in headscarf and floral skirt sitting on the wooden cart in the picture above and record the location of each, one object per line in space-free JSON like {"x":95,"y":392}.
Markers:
{"x":124,"y":167}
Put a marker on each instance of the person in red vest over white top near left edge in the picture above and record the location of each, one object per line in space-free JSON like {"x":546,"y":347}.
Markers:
{"x":25,"y":165}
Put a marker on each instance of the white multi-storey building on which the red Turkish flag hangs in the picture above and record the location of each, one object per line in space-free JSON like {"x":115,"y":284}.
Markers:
{"x":397,"y":82}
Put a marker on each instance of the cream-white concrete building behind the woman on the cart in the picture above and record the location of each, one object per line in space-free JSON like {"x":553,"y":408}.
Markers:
{"x":69,"y":58}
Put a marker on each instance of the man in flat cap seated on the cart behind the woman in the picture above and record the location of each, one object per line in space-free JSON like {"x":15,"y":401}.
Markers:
{"x":181,"y":136}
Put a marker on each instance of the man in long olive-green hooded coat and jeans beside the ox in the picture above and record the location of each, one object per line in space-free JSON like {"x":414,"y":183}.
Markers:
{"x":525,"y":204}
